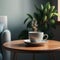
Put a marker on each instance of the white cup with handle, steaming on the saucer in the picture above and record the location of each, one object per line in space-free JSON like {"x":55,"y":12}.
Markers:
{"x":37,"y":37}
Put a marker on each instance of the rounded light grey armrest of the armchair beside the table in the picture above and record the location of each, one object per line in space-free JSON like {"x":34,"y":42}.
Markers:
{"x":6,"y":36}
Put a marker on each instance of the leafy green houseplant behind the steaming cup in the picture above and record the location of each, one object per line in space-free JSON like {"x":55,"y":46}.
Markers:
{"x":41,"y":20}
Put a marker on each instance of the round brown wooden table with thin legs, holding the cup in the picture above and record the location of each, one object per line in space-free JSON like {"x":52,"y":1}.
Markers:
{"x":19,"y":46}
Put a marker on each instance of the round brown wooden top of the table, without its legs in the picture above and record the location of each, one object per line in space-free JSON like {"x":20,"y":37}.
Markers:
{"x":19,"y":45}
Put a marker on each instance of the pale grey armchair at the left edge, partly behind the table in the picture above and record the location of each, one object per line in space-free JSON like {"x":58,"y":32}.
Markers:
{"x":5,"y":36}
